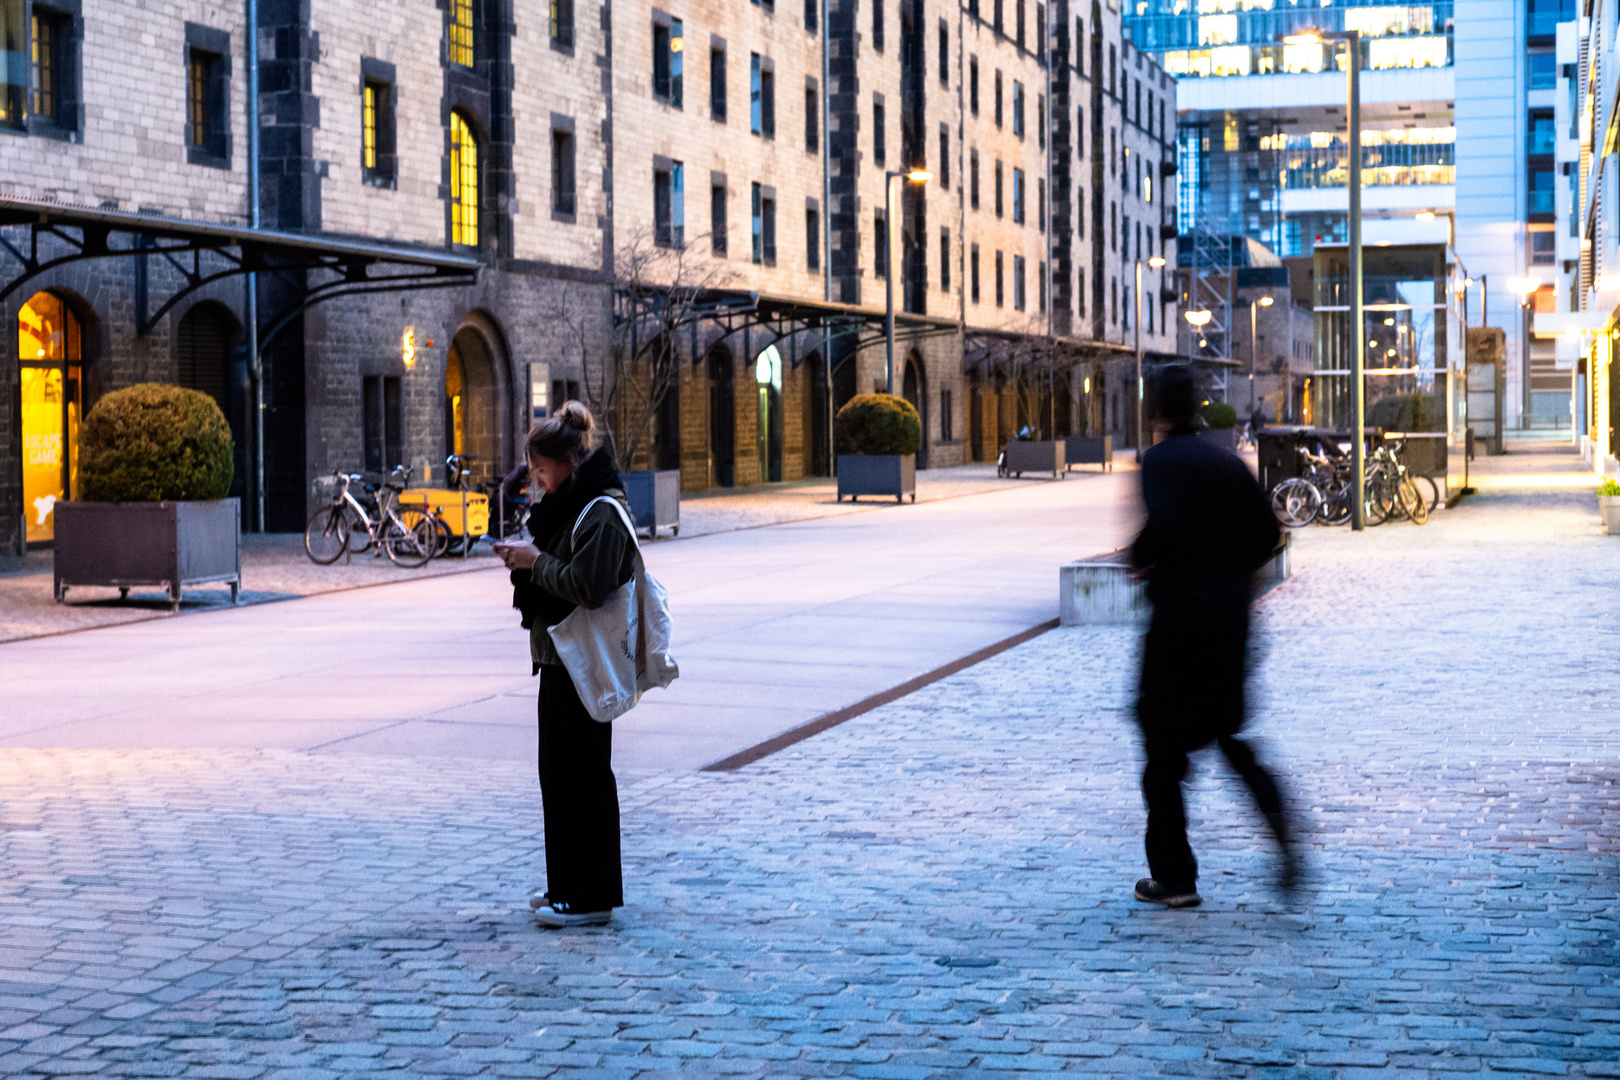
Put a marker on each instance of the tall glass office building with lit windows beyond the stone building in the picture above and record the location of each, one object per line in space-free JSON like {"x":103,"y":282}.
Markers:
{"x":1263,"y":137}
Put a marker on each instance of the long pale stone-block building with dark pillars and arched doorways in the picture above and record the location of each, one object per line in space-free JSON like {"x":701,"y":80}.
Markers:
{"x":380,"y":236}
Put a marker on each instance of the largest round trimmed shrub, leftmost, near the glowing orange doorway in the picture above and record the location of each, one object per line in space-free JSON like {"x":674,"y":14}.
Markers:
{"x":155,"y":443}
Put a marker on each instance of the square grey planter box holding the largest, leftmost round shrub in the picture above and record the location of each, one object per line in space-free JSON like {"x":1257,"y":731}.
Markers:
{"x":124,"y":545}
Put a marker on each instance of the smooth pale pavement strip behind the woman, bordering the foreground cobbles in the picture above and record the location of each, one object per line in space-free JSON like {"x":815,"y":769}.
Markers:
{"x":774,"y":627}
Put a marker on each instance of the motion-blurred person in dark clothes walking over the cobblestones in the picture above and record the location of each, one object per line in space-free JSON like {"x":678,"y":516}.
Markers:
{"x":1209,"y":529}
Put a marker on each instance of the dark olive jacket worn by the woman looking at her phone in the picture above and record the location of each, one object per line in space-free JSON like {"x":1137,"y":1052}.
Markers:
{"x":584,"y":566}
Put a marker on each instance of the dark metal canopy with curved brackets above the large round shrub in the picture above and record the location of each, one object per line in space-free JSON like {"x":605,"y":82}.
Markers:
{"x":351,"y":266}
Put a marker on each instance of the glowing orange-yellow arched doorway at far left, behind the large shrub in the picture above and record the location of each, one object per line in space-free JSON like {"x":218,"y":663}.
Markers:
{"x":51,"y":352}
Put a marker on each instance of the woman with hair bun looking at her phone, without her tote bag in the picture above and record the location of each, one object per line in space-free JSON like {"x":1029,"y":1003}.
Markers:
{"x":573,"y":563}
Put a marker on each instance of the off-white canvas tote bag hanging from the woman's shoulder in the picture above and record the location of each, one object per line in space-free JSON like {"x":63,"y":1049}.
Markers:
{"x":620,"y":650}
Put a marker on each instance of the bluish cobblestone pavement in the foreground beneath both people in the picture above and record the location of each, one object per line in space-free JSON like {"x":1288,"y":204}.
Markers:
{"x":937,"y":888}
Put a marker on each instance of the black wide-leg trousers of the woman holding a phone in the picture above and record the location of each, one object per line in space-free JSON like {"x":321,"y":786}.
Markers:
{"x":581,"y":799}
